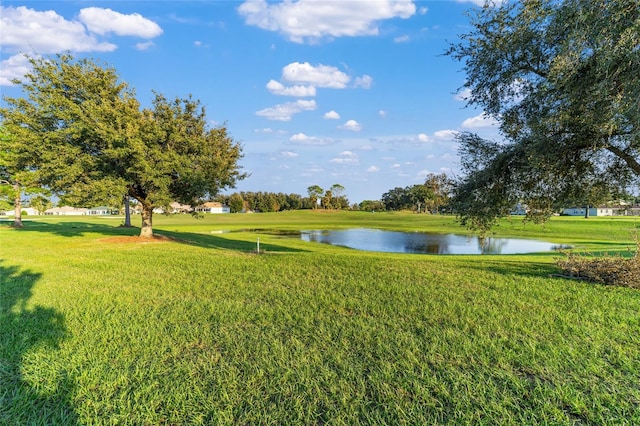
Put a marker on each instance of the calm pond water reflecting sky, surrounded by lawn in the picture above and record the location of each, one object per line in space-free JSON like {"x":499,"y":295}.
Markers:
{"x":418,"y":242}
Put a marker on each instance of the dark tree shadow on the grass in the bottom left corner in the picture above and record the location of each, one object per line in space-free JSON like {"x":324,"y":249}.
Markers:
{"x":23,"y":330}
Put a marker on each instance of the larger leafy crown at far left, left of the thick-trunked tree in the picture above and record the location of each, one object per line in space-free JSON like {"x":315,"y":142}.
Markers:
{"x":70,"y":126}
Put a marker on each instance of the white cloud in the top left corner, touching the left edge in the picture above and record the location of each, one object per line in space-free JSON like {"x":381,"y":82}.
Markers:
{"x":25,"y":29}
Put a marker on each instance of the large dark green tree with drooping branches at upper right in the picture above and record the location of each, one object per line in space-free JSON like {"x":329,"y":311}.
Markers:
{"x":562,"y":79}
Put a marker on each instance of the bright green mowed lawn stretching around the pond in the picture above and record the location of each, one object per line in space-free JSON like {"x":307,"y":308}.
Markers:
{"x":202,"y":330}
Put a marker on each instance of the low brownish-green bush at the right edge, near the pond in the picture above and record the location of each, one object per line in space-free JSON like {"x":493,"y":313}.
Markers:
{"x":610,"y":270}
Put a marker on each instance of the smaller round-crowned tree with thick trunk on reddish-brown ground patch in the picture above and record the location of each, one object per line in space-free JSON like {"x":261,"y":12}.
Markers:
{"x":177,"y":157}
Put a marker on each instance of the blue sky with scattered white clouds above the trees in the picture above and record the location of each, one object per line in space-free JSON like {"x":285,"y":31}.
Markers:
{"x":351,"y":92}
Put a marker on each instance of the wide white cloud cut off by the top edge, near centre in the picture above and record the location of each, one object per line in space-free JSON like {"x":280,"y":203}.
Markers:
{"x":312,"y":20}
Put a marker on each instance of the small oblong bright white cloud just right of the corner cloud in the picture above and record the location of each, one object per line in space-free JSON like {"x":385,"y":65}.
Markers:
{"x":104,"y":21}
